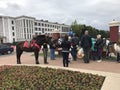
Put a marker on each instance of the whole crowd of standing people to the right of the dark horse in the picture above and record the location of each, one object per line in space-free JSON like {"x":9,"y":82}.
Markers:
{"x":92,"y":48}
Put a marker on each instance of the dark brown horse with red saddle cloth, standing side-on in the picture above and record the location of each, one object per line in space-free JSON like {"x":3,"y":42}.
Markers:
{"x":33,"y":46}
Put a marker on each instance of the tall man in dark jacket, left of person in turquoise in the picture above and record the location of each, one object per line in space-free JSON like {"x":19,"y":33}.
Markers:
{"x":86,"y":44}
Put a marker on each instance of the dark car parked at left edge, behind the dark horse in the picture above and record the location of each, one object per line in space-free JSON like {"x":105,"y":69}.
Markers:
{"x":5,"y":49}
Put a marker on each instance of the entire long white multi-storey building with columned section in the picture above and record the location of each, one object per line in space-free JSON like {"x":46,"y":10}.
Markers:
{"x":22,"y":28}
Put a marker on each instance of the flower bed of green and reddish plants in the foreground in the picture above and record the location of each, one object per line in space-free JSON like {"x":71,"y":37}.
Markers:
{"x":38,"y":78}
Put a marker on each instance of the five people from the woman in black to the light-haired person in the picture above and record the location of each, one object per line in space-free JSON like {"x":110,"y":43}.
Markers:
{"x":91,"y":47}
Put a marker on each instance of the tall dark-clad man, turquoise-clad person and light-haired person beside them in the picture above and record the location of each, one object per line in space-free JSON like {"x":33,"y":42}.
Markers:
{"x":92,"y":46}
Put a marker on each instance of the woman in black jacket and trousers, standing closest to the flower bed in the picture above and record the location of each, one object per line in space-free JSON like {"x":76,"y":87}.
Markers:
{"x":65,"y":50}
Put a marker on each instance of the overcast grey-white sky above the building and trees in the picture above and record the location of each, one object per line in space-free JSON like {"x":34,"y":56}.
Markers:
{"x":97,"y":13}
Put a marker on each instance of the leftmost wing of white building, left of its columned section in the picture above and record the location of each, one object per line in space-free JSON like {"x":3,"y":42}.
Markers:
{"x":7,"y":29}
